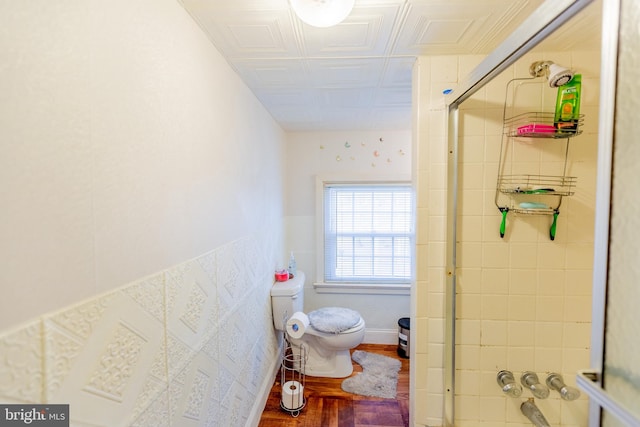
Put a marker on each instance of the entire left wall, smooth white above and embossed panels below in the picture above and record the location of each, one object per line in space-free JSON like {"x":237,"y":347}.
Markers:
{"x":142,"y":215}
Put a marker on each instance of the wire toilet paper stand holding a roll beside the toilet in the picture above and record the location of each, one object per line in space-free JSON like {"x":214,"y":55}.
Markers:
{"x":292,"y":378}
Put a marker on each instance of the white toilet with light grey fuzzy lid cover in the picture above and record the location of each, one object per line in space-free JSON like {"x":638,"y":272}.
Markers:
{"x":331,"y":333}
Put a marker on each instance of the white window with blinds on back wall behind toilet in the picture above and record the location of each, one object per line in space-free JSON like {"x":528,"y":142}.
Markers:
{"x":368,"y":233}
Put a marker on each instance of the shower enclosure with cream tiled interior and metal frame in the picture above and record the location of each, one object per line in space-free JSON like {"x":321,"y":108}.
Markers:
{"x":521,"y":303}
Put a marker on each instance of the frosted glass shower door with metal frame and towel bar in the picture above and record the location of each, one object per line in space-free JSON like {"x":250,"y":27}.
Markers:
{"x":615,"y":392}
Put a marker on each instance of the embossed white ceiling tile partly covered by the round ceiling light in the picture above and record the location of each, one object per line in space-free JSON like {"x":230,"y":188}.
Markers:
{"x":365,"y":32}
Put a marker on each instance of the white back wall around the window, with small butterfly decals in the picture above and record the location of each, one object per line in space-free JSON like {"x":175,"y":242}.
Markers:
{"x":362,"y":154}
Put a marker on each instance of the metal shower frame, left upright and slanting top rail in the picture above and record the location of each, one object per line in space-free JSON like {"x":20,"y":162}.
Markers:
{"x":551,"y":15}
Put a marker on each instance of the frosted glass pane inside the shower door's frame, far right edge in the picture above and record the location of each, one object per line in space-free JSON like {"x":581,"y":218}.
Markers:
{"x":621,"y":374}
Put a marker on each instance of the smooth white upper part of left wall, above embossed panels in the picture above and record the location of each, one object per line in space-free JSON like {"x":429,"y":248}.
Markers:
{"x":125,"y":149}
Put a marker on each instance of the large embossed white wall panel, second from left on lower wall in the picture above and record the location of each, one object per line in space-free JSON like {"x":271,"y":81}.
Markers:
{"x":115,"y":372}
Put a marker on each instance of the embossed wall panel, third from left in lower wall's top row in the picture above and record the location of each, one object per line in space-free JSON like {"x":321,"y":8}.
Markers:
{"x":193,"y":311}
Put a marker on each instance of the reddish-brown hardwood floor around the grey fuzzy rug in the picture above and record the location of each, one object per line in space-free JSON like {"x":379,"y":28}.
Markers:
{"x":329,"y":406}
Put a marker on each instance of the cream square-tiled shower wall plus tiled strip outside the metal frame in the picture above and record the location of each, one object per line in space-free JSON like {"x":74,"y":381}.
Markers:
{"x":523,"y":301}
